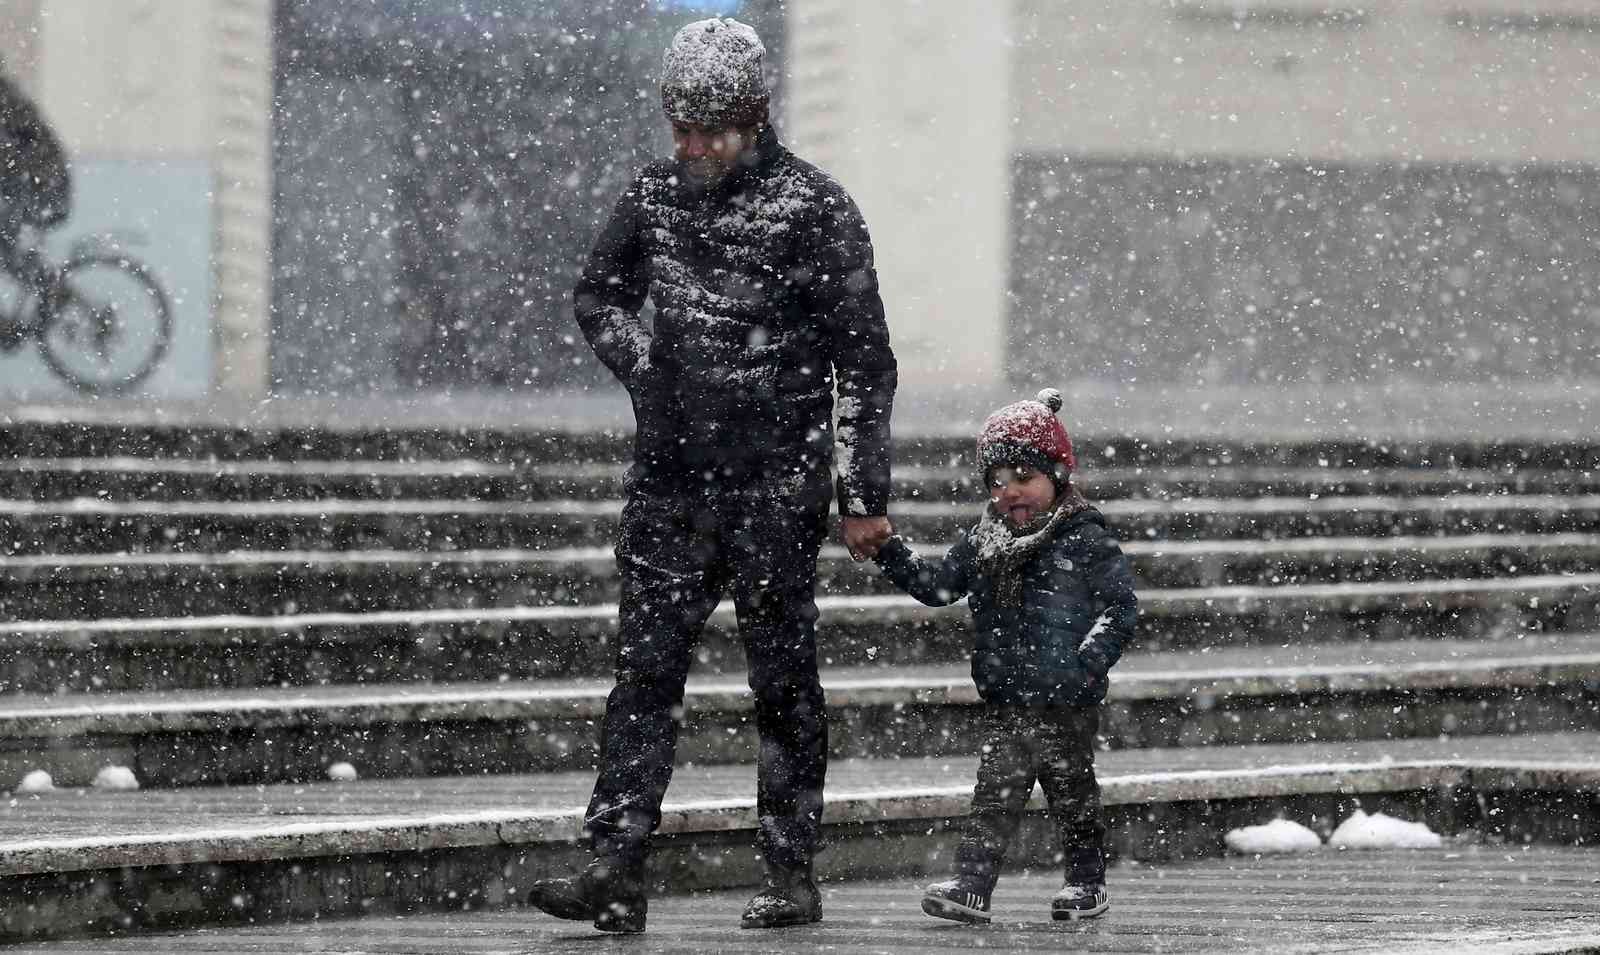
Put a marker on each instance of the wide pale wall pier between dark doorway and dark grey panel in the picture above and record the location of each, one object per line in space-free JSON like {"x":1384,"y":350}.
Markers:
{"x":908,"y":103}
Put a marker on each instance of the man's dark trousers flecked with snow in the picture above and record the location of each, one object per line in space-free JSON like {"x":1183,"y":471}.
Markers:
{"x":679,"y":549}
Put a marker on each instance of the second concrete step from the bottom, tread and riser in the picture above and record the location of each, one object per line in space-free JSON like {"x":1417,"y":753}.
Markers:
{"x":1295,"y":693}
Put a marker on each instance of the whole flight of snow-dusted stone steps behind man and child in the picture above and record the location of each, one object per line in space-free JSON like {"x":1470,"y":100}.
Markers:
{"x":228,"y":613}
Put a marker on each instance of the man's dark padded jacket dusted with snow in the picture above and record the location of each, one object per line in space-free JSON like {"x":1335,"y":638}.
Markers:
{"x":766,"y":298}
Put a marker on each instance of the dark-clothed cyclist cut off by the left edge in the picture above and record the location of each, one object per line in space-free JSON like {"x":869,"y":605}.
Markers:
{"x":34,"y":183}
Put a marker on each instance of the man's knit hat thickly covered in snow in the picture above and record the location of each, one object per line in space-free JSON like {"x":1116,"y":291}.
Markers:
{"x":711,"y":76}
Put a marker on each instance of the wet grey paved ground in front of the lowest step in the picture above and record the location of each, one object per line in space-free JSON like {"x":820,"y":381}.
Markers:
{"x":1470,"y":897}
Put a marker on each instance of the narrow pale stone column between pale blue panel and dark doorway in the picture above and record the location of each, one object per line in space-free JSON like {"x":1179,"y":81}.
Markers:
{"x":242,"y":166}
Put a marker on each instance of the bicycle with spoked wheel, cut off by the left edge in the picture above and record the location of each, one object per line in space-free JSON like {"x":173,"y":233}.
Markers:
{"x":102,"y":319}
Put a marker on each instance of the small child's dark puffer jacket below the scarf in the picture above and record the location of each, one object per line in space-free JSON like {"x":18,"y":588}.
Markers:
{"x":1078,"y":612}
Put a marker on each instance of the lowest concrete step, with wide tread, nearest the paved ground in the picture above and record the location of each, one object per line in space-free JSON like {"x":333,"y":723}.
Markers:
{"x":97,"y":863}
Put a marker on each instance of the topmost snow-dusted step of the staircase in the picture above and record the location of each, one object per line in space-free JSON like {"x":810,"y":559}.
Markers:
{"x":439,"y":430}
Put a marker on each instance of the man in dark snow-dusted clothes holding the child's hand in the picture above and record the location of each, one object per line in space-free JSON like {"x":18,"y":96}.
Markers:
{"x":767,"y":300}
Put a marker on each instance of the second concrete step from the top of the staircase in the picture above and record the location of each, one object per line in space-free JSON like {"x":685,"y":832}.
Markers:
{"x":186,"y":479}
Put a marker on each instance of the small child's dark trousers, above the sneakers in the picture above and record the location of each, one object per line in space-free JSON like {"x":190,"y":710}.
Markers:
{"x":1057,"y":748}
